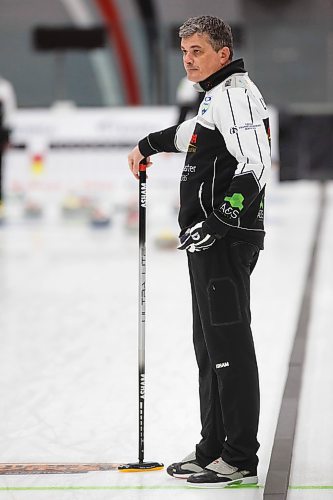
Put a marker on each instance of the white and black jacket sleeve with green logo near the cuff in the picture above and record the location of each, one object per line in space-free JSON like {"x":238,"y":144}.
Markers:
{"x":241,"y":118}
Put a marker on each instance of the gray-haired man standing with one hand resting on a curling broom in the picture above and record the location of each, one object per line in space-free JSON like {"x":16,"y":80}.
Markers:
{"x":222,"y":230}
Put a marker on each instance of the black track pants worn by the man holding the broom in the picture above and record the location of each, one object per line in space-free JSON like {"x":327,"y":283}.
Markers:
{"x":228,"y":374}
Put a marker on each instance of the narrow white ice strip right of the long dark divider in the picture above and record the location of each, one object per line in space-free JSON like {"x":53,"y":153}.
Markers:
{"x":312,"y":462}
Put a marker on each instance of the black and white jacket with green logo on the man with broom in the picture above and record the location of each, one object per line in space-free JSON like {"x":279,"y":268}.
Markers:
{"x":228,"y":157}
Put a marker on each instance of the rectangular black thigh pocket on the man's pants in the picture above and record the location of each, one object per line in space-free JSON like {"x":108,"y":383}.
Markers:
{"x":224,"y":307}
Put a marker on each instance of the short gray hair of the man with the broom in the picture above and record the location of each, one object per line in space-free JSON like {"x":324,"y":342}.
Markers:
{"x":218,"y":32}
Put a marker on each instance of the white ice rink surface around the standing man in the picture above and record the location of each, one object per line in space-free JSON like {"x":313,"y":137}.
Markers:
{"x":68,"y":352}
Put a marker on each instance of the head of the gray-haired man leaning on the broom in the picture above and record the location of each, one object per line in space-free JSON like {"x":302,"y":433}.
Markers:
{"x":206,"y":43}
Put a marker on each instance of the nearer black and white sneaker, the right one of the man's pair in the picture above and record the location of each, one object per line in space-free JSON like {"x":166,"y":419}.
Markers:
{"x":219,"y":474}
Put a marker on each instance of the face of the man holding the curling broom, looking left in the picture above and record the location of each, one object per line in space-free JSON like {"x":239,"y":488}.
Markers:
{"x":200,"y":59}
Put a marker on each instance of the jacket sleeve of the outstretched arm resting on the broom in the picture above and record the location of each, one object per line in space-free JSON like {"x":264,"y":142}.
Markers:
{"x":173,"y":139}
